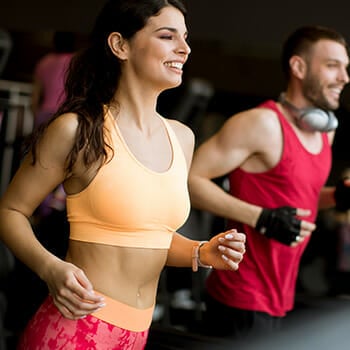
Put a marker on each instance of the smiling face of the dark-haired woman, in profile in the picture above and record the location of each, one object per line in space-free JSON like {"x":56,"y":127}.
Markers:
{"x":157,"y":52}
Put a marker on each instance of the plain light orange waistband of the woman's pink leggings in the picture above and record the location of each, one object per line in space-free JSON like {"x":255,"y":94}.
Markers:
{"x":124,"y":316}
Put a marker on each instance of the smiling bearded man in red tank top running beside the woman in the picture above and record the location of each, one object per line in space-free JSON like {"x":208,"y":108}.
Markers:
{"x":277,"y":157}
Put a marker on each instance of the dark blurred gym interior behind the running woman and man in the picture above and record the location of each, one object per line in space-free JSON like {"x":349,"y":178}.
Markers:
{"x":234,"y":65}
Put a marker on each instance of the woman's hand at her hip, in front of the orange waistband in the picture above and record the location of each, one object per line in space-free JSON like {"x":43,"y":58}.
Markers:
{"x":71,"y":290}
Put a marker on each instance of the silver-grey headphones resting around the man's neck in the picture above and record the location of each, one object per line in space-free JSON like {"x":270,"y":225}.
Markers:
{"x":311,"y":119}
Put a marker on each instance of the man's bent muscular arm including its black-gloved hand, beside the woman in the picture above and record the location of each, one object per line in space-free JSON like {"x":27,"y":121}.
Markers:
{"x":253,"y":141}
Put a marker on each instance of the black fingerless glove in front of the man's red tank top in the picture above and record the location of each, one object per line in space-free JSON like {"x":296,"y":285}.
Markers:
{"x":279,"y":224}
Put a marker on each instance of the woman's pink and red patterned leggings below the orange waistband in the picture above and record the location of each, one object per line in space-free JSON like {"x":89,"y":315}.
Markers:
{"x":49,"y":330}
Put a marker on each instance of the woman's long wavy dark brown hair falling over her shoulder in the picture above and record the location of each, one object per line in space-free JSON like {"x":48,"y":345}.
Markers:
{"x":93,"y":76}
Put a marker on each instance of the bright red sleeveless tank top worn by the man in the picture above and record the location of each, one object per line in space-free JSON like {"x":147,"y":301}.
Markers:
{"x":267,"y":275}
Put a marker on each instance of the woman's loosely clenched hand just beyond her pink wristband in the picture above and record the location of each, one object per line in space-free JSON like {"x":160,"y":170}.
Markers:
{"x":224,"y":251}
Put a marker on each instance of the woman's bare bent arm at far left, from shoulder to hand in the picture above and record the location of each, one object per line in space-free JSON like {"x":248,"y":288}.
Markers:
{"x":30,"y":185}
